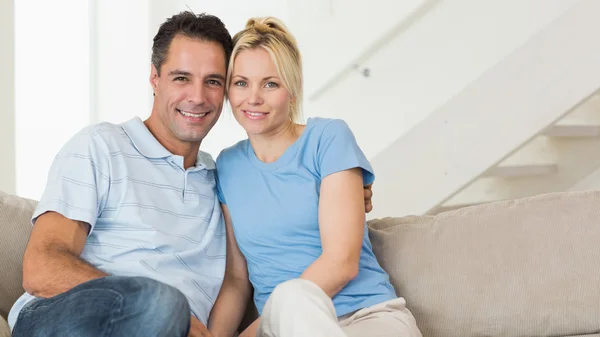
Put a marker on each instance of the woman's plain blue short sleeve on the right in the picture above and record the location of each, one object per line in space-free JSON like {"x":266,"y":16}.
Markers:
{"x":339,"y":151}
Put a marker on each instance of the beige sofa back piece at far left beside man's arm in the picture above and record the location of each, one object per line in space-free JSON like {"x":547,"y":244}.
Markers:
{"x":15,"y":226}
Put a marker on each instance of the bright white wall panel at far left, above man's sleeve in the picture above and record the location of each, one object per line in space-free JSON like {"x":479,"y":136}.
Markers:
{"x":52,"y":84}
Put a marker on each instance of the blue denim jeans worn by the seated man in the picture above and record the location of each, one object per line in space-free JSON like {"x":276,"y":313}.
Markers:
{"x":110,"y":306}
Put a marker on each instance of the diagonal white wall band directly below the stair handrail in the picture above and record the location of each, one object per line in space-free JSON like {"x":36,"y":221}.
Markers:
{"x":421,"y":69}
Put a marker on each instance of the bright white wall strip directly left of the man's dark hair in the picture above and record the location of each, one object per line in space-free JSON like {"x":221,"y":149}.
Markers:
{"x":121,"y":43}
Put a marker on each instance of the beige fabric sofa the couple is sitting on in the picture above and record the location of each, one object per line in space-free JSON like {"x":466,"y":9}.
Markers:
{"x":528,"y":267}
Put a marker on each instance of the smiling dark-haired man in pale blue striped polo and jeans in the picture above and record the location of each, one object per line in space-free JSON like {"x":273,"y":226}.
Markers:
{"x":128,"y":238}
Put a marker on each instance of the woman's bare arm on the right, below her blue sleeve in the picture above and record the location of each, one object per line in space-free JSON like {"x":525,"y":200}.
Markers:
{"x":341,"y":223}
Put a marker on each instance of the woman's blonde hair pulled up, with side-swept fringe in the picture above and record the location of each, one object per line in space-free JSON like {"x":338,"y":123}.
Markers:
{"x":271,"y":34}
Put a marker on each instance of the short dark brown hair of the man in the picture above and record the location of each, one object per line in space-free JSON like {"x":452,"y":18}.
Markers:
{"x":202,"y":26}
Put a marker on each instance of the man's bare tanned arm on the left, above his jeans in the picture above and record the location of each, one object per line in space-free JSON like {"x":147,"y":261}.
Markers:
{"x":52,"y":263}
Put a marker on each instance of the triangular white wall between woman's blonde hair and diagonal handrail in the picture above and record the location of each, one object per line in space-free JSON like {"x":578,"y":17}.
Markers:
{"x":334,"y":34}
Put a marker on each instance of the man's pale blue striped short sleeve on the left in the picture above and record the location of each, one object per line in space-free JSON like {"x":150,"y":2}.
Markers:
{"x":78,"y":180}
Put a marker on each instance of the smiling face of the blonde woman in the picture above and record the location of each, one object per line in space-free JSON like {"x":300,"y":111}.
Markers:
{"x":260,"y":102}
